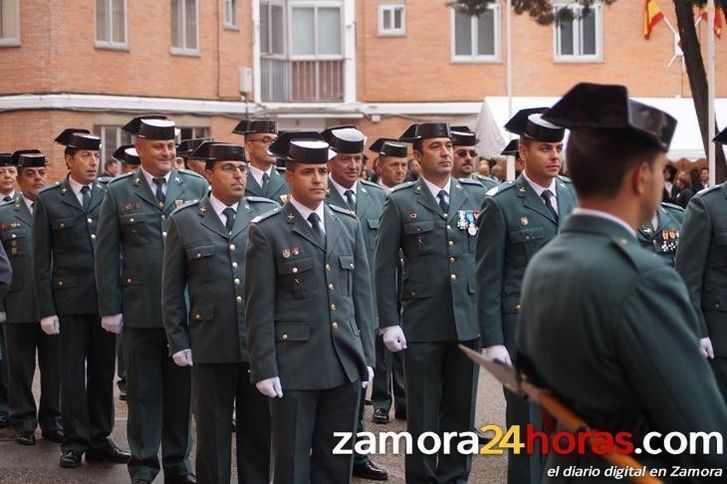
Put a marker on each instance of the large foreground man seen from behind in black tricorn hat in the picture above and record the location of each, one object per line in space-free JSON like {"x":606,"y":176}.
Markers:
{"x":604,"y":324}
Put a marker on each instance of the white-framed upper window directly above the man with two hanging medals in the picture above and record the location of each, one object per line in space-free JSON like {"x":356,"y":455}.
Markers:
{"x":476,"y":38}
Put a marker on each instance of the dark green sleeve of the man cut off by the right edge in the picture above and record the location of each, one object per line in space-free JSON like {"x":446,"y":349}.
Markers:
{"x":691,"y":258}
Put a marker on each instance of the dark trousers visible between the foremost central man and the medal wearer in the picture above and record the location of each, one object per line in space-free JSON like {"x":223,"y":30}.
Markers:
{"x":389,"y":372}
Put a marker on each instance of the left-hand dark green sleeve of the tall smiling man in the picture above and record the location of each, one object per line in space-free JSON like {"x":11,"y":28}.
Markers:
{"x":108,"y":258}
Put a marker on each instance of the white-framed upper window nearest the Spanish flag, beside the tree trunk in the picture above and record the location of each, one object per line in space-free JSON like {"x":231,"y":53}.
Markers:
{"x":579,"y":39}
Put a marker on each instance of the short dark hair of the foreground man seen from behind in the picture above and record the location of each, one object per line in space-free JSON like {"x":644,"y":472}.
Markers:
{"x":598,"y":159}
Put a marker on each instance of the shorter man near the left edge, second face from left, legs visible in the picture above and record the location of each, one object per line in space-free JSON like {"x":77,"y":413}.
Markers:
{"x":20,"y":317}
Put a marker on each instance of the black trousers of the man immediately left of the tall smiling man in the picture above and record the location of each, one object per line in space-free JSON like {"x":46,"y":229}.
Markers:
{"x":87,"y":374}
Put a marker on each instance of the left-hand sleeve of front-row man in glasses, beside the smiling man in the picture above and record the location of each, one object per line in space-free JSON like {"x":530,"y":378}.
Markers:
{"x":174,"y":282}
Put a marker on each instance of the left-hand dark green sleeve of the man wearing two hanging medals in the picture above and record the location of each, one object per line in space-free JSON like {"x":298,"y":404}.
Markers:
{"x":386,"y":262}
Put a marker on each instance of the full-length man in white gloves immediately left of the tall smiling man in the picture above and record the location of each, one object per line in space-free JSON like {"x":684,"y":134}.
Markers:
{"x":64,"y":239}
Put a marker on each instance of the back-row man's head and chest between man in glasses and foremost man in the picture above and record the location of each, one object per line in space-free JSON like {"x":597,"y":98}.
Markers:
{"x":265,"y":181}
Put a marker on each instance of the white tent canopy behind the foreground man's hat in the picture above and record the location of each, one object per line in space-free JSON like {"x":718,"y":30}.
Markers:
{"x":687,"y":142}
